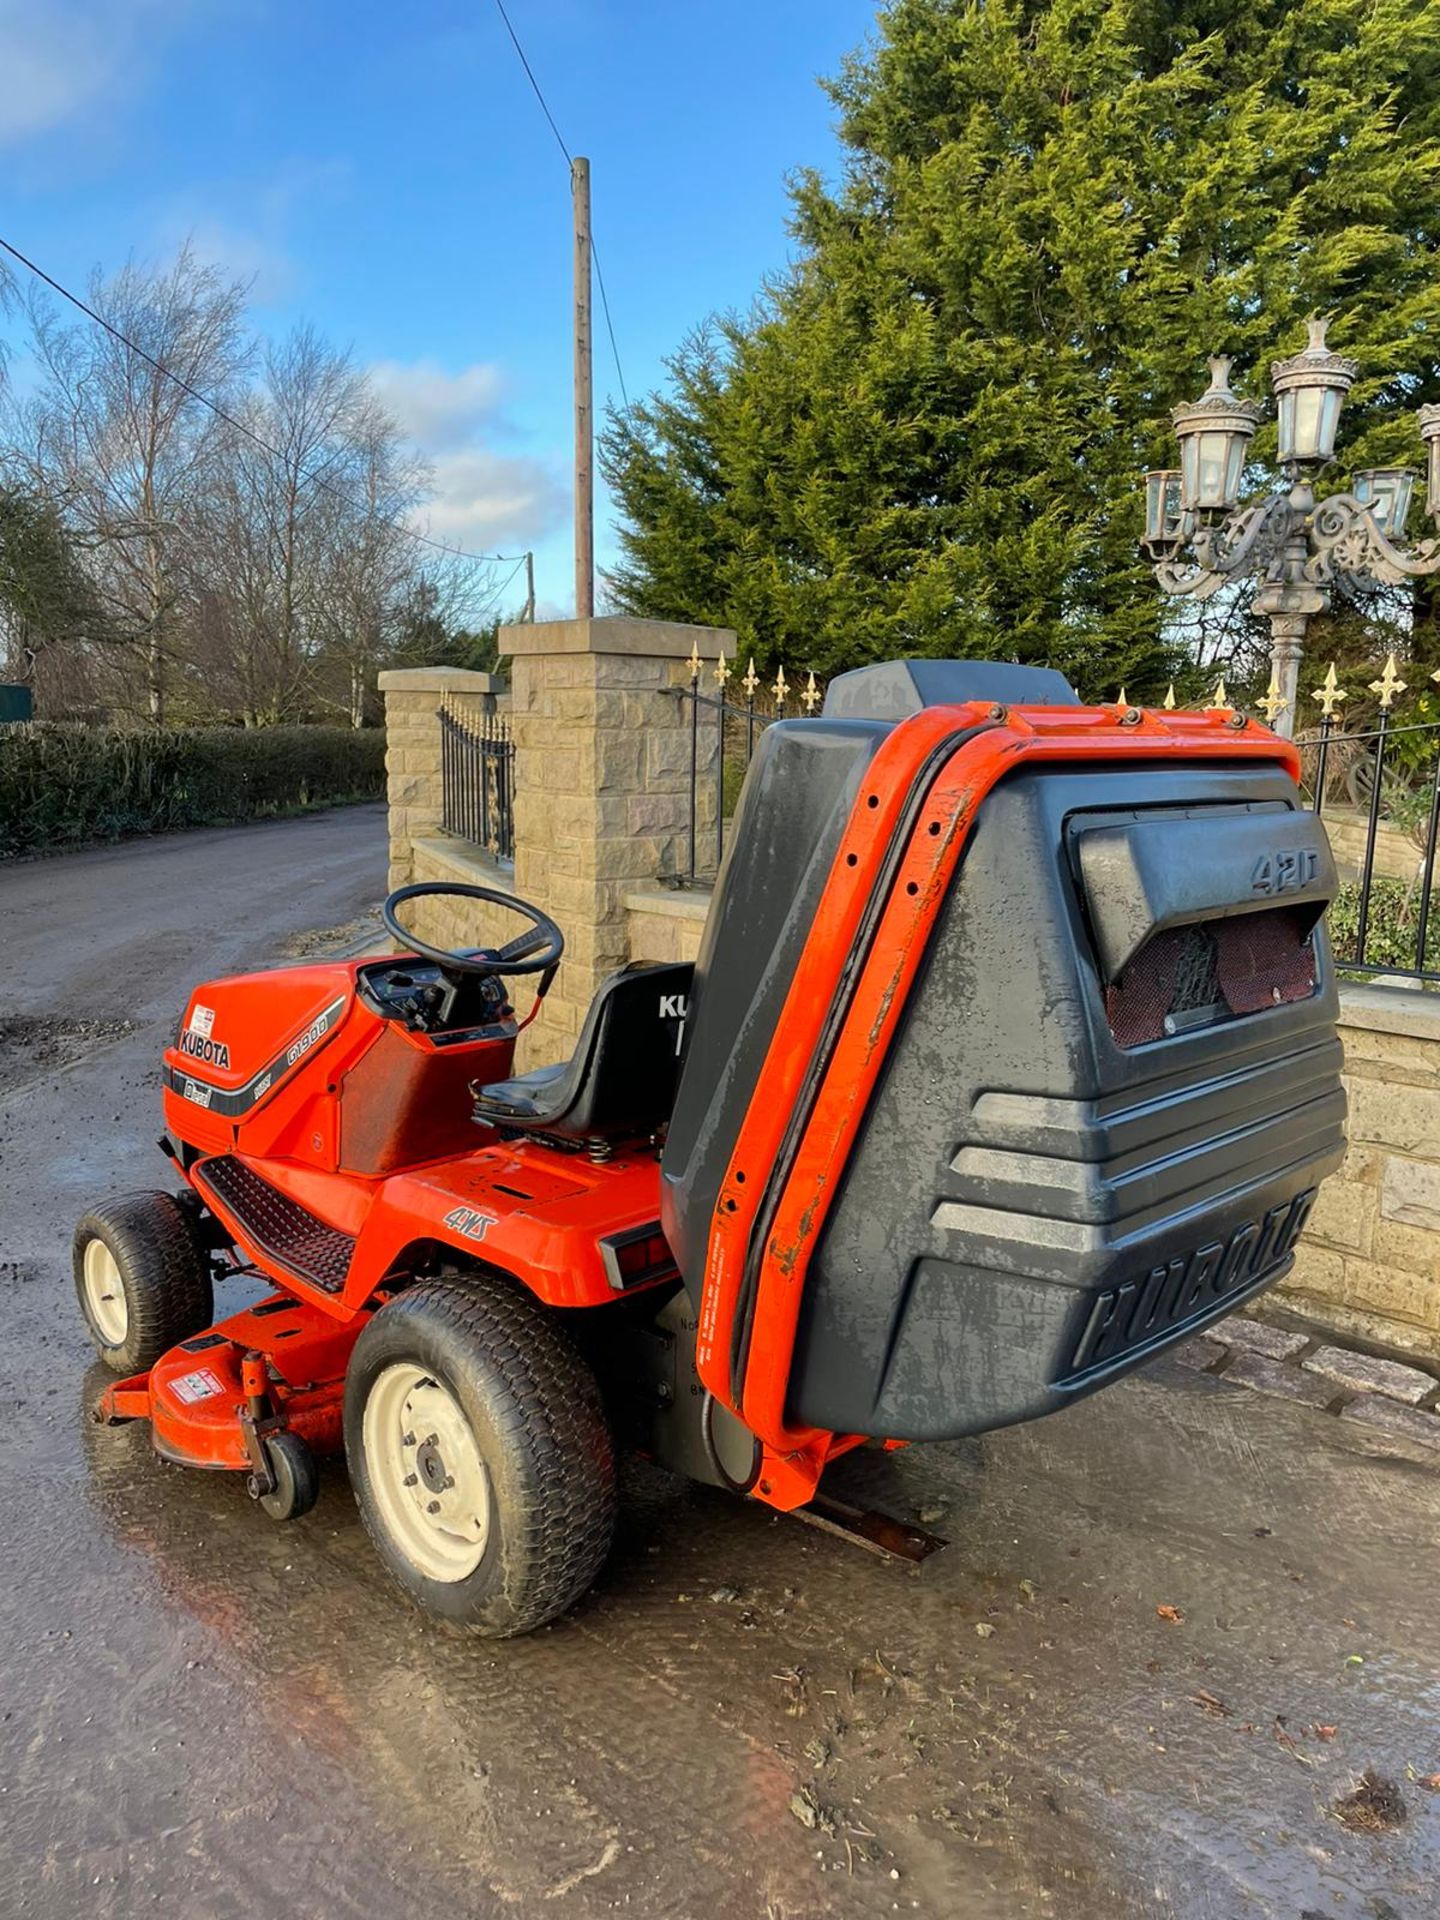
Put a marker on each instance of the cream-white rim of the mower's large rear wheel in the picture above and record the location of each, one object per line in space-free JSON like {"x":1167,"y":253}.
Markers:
{"x":427,"y":1476}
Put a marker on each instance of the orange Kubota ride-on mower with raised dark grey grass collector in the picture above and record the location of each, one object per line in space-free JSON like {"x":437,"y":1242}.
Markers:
{"x":1007,"y":1063}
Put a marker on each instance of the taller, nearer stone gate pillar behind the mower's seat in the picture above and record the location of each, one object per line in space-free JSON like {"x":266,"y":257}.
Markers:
{"x":602,"y":786}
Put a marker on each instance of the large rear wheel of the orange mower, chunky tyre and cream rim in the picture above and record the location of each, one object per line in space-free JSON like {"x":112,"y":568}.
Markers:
{"x":481,"y":1454}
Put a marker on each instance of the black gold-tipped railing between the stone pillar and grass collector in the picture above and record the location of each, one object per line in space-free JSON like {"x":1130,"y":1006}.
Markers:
{"x":723,"y":734}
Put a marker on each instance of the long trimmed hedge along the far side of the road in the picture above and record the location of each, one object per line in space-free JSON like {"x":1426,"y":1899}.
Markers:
{"x":68,"y":784}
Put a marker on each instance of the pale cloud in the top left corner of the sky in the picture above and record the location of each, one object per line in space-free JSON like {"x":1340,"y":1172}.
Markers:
{"x":60,"y":59}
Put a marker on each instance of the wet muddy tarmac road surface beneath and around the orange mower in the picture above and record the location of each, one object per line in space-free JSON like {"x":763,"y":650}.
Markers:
{"x":210,"y":1716}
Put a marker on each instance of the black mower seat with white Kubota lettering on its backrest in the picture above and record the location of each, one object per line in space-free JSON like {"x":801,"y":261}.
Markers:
{"x":621,"y":1080}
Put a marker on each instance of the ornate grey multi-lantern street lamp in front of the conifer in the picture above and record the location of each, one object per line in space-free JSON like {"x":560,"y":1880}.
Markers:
{"x":1201,"y":539}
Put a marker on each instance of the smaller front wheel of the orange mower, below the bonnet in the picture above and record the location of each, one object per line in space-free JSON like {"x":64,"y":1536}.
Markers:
{"x":141,"y":1278}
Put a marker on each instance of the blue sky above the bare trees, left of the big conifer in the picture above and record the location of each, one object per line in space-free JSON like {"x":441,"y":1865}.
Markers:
{"x":385,"y":172}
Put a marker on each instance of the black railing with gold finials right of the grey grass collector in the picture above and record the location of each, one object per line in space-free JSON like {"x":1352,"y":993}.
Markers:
{"x":1378,"y":788}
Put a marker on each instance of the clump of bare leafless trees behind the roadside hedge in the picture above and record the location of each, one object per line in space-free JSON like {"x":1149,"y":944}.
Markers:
{"x":252,"y":562}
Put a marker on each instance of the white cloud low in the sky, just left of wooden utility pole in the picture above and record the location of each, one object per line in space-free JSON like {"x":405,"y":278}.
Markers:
{"x":481,"y":498}
